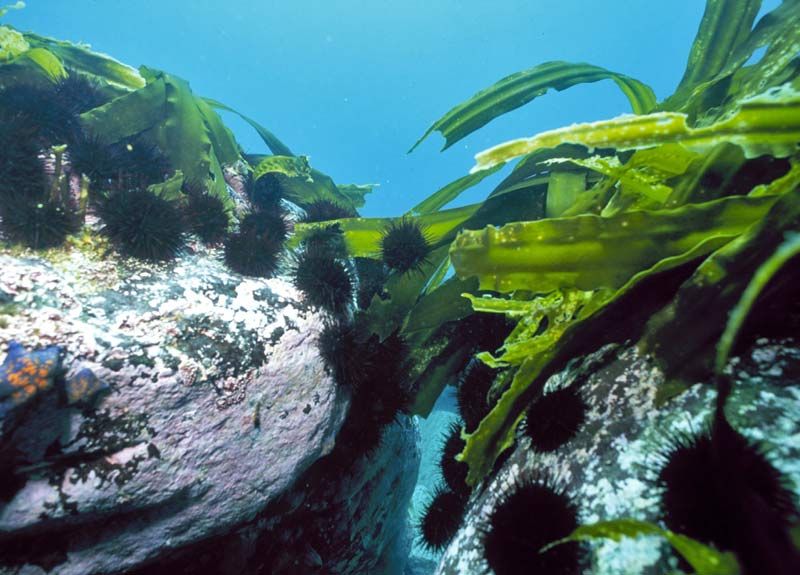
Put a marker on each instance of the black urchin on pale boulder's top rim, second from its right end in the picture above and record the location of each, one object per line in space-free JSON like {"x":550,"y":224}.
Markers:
{"x":254,"y":250}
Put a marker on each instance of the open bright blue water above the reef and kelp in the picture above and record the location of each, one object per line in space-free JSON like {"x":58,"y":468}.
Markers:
{"x":354,"y":83}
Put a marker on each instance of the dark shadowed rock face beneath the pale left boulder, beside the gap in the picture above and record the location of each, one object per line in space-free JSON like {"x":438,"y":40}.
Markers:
{"x":351,"y":518}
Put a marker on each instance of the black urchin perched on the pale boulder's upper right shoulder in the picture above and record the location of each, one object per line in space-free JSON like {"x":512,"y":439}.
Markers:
{"x":325,"y":281}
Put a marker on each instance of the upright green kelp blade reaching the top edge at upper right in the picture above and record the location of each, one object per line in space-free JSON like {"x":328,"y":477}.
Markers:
{"x":725,"y":25}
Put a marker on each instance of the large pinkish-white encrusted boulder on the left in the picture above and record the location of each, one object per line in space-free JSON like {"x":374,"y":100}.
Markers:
{"x":216,"y":401}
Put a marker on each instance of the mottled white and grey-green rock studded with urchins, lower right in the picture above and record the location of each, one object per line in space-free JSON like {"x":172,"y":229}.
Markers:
{"x":610,"y":468}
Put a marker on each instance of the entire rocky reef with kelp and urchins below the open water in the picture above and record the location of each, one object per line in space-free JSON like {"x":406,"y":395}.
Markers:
{"x":213,"y":355}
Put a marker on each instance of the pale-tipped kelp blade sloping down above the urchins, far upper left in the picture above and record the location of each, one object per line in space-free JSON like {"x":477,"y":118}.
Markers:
{"x":104,"y":68}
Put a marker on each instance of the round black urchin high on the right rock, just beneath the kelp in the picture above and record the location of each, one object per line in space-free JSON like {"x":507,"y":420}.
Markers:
{"x":555,"y":418}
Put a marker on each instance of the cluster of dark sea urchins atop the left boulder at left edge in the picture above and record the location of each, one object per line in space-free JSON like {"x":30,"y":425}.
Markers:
{"x":38,"y":203}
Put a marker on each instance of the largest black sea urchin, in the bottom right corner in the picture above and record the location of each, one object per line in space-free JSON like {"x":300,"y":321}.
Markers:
{"x":721,"y":490}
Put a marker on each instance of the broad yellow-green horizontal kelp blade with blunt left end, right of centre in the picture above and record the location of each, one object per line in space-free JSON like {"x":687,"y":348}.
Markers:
{"x":589,"y":252}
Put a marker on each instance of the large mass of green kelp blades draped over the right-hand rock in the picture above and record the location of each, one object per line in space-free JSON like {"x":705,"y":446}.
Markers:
{"x":678,"y":203}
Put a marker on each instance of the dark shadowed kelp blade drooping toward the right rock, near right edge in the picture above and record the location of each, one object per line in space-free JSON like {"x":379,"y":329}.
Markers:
{"x":711,"y":292}
